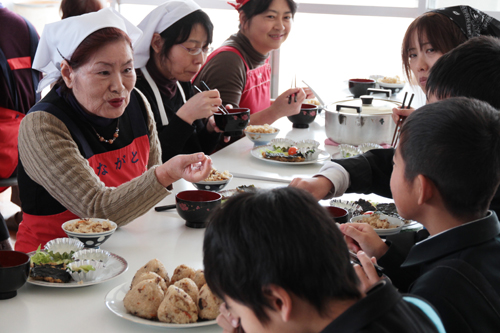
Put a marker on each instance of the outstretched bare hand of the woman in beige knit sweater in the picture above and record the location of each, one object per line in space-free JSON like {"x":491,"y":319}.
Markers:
{"x":193,"y":168}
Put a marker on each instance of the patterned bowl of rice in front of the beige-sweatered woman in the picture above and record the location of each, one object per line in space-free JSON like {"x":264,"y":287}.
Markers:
{"x":92,"y":232}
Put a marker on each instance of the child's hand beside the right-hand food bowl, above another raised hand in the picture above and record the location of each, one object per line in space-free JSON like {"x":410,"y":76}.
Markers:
{"x":362,"y":237}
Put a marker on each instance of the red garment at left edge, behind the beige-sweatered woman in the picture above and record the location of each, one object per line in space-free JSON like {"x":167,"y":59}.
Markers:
{"x":9,"y":131}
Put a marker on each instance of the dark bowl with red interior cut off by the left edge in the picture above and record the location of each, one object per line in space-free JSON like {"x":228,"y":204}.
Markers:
{"x":14,"y":271}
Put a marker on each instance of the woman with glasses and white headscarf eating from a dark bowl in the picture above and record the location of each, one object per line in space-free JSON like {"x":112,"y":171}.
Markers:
{"x":174,"y":46}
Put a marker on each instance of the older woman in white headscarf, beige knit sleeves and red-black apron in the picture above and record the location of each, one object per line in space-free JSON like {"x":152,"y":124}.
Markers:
{"x":90,"y":147}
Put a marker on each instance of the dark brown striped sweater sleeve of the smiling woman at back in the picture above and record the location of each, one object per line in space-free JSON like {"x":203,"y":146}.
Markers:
{"x":225,"y":72}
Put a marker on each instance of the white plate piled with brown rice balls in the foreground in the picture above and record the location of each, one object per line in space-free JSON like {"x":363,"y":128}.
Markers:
{"x":154,"y":299}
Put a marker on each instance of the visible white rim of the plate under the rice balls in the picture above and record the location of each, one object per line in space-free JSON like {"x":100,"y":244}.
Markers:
{"x":114,"y":302}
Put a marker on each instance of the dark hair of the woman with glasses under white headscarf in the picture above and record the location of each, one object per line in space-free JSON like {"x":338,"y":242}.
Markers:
{"x":179,"y":32}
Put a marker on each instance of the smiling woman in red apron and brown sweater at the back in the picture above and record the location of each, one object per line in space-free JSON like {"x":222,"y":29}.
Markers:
{"x":240,"y":69}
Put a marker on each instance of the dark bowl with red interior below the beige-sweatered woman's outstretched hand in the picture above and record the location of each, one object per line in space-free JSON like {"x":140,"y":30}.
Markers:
{"x":196,"y":206}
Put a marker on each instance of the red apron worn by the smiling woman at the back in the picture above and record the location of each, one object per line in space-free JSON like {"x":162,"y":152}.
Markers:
{"x":257,"y":92}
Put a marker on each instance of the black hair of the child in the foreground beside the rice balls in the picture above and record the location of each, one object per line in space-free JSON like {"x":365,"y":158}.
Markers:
{"x":281,"y":237}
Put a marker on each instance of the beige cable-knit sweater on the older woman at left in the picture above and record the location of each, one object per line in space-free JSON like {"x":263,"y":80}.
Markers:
{"x":51,"y":158}
